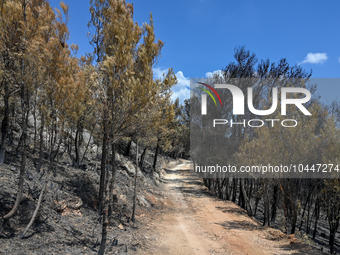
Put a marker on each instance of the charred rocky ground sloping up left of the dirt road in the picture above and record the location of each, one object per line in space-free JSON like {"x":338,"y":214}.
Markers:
{"x":68,"y":221}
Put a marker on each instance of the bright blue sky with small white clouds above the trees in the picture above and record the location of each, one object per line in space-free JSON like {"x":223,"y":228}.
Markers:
{"x":200,"y":35}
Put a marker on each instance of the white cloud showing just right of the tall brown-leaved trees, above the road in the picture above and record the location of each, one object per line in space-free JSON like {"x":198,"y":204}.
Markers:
{"x":181,"y":89}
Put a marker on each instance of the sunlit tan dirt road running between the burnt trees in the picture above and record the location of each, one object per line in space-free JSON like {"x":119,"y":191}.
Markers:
{"x":197,"y":223}
